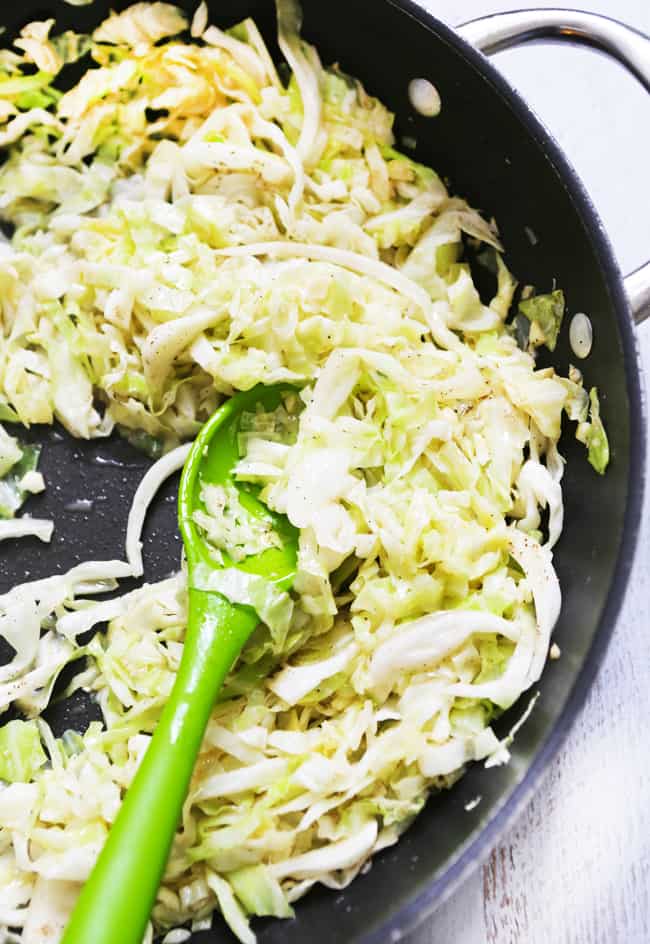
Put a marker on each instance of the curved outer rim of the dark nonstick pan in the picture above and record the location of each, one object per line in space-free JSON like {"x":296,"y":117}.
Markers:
{"x":477,"y":849}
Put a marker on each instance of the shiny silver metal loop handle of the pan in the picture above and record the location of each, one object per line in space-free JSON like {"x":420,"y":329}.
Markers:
{"x":631,"y":47}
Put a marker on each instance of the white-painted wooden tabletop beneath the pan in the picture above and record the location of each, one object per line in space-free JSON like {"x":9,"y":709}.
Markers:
{"x":575,"y":868}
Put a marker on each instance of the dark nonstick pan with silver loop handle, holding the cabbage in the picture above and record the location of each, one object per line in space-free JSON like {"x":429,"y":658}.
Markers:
{"x":494,"y":152}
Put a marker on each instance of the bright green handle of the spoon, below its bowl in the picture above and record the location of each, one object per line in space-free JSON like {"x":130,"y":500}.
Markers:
{"x":116,"y":901}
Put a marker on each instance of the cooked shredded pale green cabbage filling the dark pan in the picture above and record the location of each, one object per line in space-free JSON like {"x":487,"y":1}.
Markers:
{"x":184,"y":226}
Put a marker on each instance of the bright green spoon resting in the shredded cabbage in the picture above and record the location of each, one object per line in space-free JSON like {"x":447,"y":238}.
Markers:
{"x":116,"y":901}
